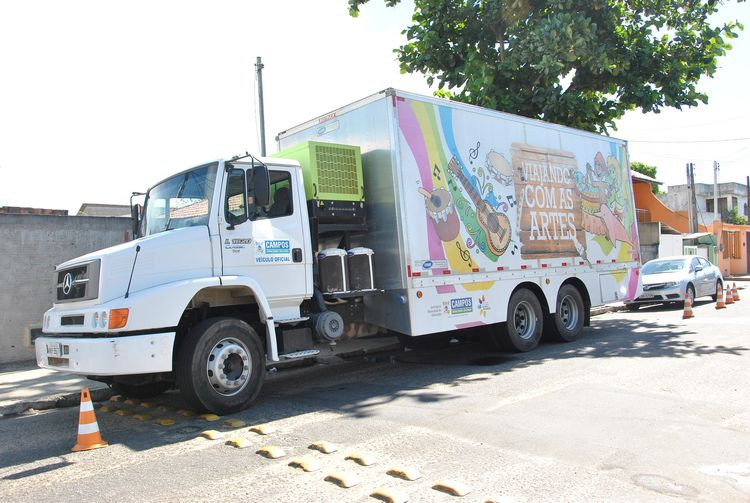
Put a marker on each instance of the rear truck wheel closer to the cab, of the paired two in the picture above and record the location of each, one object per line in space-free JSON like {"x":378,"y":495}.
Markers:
{"x":523,"y":329}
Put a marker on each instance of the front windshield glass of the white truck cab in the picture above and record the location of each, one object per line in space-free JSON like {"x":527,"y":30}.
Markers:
{"x":181,"y":201}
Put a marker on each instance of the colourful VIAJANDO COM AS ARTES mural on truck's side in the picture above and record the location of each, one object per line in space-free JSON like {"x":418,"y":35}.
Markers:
{"x":492,"y":195}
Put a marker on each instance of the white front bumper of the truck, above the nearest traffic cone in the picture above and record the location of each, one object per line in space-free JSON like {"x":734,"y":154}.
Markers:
{"x":107,"y":356}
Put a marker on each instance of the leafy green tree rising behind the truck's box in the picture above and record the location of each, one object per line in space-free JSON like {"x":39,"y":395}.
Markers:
{"x":582,"y":63}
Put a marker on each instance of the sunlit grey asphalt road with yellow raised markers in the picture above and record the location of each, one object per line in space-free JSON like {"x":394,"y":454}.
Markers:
{"x":645,"y":407}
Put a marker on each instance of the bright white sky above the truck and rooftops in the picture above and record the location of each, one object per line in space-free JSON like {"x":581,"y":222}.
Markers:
{"x":99,"y":99}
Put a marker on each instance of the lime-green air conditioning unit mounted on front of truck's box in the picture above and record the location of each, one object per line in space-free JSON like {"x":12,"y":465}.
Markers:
{"x":333,"y":180}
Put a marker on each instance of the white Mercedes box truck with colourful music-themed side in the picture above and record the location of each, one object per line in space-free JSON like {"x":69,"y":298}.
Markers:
{"x":421,"y":217}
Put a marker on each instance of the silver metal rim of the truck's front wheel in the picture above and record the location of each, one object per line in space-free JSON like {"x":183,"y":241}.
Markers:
{"x":228,"y":366}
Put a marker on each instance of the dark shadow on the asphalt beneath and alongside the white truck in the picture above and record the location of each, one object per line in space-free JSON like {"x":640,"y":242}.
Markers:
{"x":356,"y":389}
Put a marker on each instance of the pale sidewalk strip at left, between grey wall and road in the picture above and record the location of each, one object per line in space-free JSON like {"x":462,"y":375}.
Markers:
{"x":24,"y":386}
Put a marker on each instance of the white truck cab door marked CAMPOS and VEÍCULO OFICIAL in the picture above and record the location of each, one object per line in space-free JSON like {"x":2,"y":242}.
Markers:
{"x":267,"y":243}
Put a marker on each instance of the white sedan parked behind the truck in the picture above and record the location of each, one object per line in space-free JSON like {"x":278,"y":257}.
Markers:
{"x":667,"y":280}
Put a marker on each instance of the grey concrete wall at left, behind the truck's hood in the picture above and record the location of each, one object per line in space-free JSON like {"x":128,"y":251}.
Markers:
{"x":30,"y":247}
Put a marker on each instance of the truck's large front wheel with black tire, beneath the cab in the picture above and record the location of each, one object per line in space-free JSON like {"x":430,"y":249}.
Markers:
{"x":221,"y":366}
